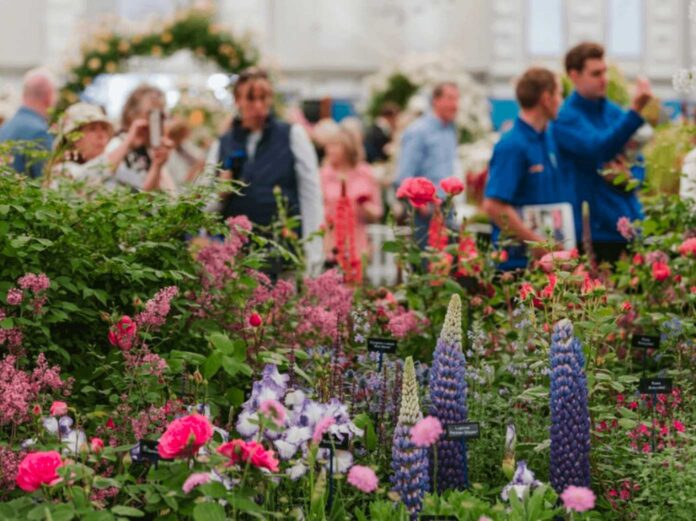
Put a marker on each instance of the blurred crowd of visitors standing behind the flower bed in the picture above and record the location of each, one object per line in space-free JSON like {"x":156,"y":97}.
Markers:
{"x":556,"y":156}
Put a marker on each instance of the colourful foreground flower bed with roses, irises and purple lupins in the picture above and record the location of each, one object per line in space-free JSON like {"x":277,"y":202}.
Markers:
{"x":146,"y":374}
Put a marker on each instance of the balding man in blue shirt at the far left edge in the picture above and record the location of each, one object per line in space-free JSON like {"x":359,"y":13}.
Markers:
{"x":30,"y":122}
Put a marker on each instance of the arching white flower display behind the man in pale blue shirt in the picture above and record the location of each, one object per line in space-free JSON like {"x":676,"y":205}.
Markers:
{"x":428,"y":69}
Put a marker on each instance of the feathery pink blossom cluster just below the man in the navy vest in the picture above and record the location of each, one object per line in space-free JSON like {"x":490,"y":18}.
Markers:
{"x":217,"y":258}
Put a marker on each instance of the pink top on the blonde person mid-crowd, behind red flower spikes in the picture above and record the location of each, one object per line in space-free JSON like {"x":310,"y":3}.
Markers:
{"x":365,"y":195}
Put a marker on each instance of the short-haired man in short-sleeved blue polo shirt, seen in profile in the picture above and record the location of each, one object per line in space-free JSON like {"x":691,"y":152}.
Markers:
{"x":525,"y":169}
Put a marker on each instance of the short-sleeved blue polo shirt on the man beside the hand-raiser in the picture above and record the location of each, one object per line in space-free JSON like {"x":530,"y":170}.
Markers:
{"x":524,"y":170}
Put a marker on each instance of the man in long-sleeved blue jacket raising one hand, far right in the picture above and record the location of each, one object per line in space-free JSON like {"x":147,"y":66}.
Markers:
{"x":592,"y":132}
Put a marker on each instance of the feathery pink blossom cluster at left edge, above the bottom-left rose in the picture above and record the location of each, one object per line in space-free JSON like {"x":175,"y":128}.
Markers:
{"x":20,"y":390}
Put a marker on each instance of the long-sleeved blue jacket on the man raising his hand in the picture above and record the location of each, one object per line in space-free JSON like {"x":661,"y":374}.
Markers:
{"x":589,"y":133}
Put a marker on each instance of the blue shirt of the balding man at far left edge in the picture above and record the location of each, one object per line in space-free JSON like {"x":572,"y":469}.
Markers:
{"x":27,"y":125}
